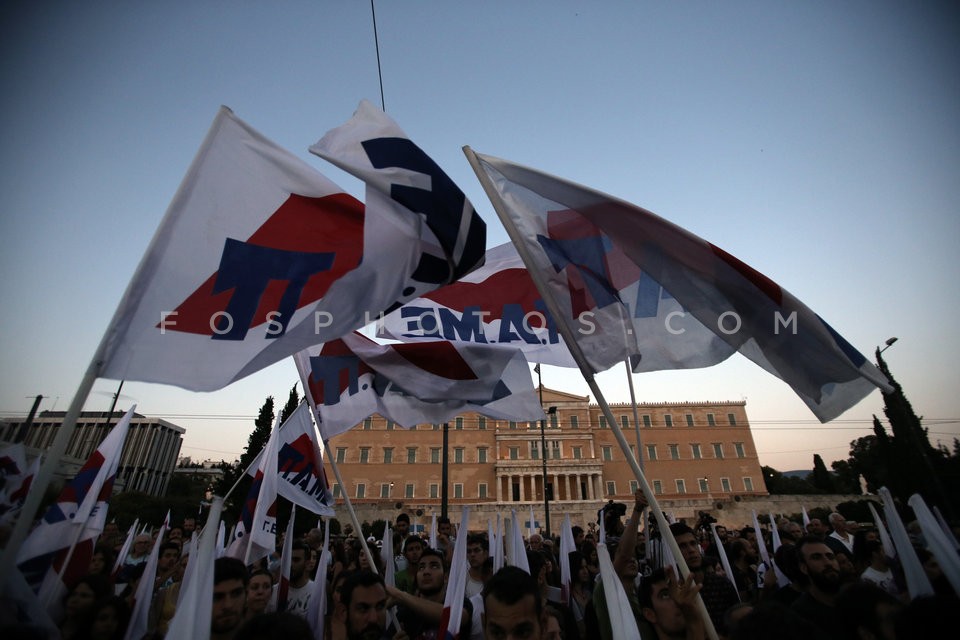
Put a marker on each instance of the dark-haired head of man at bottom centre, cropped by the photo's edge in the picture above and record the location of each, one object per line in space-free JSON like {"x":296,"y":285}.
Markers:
{"x":512,"y":606}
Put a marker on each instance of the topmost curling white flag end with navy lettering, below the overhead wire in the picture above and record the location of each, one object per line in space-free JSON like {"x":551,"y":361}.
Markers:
{"x":403,"y":181}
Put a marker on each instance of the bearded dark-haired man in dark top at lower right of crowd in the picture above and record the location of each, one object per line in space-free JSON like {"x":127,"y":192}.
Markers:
{"x":821,"y":576}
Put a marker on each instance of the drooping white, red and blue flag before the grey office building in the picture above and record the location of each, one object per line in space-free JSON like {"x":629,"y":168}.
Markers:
{"x":57,"y":553}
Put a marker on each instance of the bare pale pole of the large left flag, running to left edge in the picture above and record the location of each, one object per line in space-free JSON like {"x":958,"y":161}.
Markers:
{"x":39,"y":488}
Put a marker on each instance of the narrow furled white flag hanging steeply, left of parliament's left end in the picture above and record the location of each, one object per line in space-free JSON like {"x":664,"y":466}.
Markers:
{"x":256,"y":532}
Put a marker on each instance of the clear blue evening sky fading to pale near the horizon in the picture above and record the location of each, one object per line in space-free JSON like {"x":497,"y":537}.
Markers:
{"x":817,"y":141}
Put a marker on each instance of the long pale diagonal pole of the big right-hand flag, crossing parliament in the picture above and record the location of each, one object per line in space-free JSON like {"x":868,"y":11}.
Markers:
{"x":566,"y":331}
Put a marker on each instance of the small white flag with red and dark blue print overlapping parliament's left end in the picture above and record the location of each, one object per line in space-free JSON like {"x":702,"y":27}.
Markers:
{"x":301,"y":480}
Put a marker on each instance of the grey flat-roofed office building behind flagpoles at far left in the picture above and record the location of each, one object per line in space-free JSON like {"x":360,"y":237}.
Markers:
{"x":149,"y":453}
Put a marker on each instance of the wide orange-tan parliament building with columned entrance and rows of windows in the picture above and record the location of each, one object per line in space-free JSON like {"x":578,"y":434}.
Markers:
{"x":696,"y":456}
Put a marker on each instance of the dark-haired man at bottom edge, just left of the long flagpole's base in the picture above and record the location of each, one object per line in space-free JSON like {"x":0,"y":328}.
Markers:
{"x":670,"y":606}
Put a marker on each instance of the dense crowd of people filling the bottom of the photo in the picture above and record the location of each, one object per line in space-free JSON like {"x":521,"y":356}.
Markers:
{"x":828,"y":582}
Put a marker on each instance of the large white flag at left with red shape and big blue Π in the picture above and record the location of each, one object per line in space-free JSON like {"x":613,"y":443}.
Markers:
{"x":259,"y":256}
